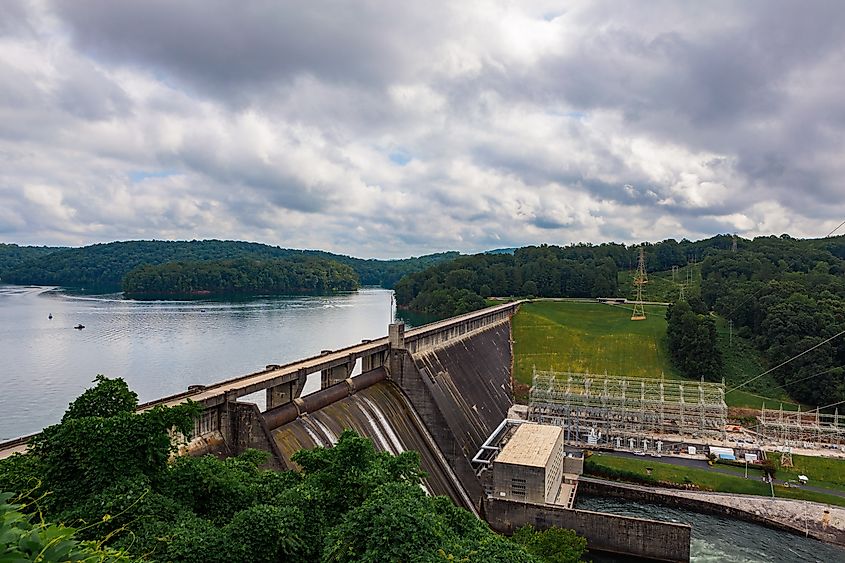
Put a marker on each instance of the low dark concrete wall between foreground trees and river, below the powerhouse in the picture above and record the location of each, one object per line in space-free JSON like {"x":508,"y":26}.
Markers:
{"x":650,"y":539}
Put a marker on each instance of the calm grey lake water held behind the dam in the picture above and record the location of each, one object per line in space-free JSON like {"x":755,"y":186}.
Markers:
{"x":159,"y":347}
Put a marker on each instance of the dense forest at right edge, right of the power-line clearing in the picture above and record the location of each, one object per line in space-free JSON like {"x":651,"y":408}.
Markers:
{"x":787,"y":295}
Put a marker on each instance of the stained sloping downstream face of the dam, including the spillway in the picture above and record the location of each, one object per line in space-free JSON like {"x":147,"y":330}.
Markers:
{"x":441,"y":400}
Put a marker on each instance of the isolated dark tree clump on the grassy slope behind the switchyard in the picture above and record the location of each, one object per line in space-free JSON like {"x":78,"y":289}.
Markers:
{"x":692,"y":342}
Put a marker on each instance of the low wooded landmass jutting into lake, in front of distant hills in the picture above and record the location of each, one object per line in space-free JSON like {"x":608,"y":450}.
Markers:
{"x":243,"y":276}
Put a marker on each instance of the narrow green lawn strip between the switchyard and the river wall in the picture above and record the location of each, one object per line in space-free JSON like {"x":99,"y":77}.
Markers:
{"x":711,"y":479}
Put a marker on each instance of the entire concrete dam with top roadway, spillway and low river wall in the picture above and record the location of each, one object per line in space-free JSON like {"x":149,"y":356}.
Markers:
{"x":440,"y":390}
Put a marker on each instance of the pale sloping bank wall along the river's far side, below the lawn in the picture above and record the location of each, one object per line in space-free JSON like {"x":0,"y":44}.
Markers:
{"x":810,"y":519}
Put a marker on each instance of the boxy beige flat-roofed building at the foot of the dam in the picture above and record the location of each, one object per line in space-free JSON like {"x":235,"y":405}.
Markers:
{"x":529,"y":466}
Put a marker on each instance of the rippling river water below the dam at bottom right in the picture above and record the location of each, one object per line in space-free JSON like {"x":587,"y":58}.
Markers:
{"x":719,"y":539}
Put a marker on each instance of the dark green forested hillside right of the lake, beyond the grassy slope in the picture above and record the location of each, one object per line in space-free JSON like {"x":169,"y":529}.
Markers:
{"x":787,"y":295}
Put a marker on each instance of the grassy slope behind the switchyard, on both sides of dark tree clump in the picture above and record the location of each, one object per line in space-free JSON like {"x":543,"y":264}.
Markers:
{"x":580,"y":337}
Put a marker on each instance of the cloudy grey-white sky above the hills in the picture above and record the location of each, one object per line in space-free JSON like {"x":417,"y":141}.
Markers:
{"x":387,"y":129}
